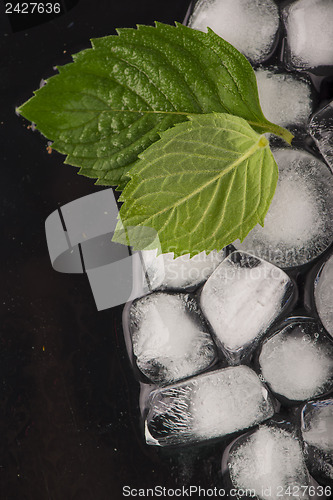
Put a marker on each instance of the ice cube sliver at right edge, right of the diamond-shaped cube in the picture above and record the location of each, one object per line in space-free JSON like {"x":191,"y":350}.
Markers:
{"x":324,"y":295}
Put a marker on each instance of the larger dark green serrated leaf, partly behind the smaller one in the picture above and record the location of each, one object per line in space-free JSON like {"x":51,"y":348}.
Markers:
{"x":115,"y":99}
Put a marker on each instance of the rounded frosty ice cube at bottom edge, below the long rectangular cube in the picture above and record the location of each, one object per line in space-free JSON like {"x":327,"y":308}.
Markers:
{"x":270,"y":463}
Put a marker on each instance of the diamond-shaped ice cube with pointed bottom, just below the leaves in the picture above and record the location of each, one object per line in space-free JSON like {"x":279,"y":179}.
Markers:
{"x":241,"y":299}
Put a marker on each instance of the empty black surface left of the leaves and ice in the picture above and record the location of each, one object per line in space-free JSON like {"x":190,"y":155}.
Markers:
{"x":70,"y":425}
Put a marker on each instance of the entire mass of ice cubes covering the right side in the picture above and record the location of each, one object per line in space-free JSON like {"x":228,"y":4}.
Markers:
{"x":221,"y":341}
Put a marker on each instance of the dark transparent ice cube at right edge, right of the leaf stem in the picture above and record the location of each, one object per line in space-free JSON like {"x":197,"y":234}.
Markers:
{"x":321,"y":129}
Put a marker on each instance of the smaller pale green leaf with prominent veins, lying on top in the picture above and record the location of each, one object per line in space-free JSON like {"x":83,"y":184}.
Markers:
{"x":207,"y":182}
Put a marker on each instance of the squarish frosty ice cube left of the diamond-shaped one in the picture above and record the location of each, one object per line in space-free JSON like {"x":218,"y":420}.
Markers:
{"x":170,"y":338}
